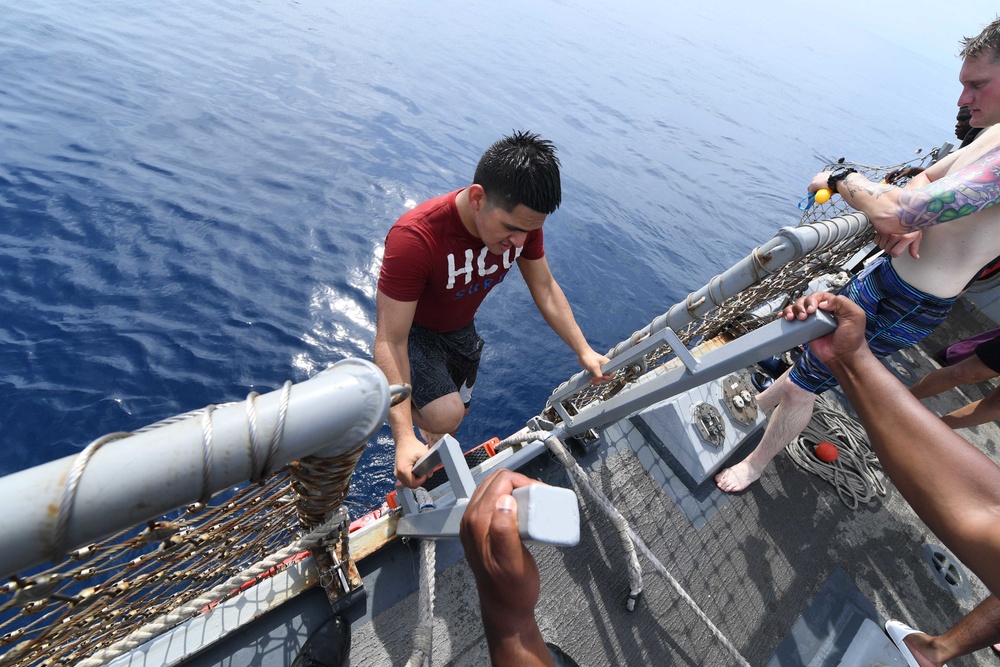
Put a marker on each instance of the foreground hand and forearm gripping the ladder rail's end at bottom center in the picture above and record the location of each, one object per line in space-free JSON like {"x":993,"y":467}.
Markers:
{"x":506,"y":573}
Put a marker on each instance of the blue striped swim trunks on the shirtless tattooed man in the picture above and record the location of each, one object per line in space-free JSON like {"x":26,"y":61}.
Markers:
{"x":897,"y":316}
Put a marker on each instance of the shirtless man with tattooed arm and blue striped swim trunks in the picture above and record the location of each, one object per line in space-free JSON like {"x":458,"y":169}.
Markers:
{"x":908,"y":295}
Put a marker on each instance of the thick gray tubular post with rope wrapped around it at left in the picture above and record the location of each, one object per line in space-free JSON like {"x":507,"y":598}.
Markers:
{"x":133,"y":479}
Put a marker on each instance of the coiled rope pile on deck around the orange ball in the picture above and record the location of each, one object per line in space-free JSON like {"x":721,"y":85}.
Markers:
{"x":853,"y":472}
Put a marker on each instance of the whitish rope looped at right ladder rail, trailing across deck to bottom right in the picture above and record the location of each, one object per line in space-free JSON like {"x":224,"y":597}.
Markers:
{"x":628,"y":537}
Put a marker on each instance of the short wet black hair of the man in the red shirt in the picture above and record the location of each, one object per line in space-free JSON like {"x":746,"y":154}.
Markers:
{"x":521,"y":169}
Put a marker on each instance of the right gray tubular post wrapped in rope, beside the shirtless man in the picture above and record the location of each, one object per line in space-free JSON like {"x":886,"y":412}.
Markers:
{"x":789,"y":244}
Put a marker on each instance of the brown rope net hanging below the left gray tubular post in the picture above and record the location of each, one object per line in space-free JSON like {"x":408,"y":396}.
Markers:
{"x":103,"y":592}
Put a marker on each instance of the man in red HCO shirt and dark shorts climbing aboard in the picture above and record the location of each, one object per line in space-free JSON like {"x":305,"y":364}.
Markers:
{"x":441,"y":260}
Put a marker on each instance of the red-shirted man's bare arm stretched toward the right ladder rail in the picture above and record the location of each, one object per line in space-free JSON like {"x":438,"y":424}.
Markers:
{"x":555,"y":308}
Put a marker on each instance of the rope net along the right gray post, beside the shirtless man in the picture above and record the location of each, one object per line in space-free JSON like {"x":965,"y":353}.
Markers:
{"x":757,"y":305}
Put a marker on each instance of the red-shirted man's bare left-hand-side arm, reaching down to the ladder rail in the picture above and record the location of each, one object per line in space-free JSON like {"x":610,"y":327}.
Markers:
{"x":392,"y":329}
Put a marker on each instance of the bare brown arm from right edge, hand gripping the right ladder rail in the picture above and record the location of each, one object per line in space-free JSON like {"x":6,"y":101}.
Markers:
{"x":953,"y":487}
